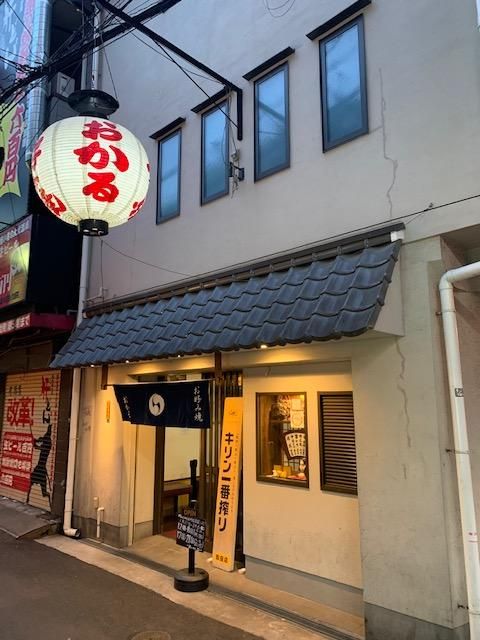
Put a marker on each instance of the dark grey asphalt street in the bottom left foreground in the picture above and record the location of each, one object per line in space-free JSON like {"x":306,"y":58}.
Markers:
{"x":47,"y":595}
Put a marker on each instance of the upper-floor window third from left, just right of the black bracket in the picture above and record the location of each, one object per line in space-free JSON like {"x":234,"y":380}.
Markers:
{"x":272,"y":145}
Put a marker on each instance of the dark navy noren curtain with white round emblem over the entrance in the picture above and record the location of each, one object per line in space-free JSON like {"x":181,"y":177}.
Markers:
{"x":165,"y":404}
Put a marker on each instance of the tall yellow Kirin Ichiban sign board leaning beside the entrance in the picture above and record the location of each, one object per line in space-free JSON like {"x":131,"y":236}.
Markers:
{"x":228,"y":485}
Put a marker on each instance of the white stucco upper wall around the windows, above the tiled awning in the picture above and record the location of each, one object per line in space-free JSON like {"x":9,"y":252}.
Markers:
{"x":423,"y":75}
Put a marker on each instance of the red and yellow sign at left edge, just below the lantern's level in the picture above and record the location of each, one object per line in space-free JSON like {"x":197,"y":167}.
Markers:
{"x":14,"y":261}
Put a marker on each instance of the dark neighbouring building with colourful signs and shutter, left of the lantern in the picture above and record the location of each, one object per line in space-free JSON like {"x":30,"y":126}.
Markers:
{"x":39,"y":265}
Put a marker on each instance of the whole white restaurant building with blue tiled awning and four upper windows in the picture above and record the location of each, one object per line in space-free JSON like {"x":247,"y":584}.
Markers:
{"x":300,"y":259}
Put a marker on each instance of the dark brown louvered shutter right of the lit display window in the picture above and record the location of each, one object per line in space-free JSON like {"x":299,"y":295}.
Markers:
{"x":337,"y":443}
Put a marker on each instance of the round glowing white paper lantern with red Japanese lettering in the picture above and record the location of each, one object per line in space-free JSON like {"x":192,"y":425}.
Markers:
{"x":90,"y":172}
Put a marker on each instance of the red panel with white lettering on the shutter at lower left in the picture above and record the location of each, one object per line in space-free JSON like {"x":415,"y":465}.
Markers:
{"x":17,"y":457}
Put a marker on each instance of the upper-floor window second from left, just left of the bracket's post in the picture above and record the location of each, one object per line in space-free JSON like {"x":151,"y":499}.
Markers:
{"x":215,"y":155}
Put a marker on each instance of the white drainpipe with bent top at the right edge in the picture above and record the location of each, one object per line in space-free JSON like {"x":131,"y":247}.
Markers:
{"x":462,"y":452}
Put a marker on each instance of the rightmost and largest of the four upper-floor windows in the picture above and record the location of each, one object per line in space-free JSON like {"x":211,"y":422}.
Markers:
{"x":344,"y":94}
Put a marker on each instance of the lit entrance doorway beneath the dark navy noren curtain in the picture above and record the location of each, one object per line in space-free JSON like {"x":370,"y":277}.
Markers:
{"x":162,"y":467}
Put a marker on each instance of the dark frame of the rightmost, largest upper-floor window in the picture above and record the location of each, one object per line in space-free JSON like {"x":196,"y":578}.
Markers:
{"x":327,"y":145}
